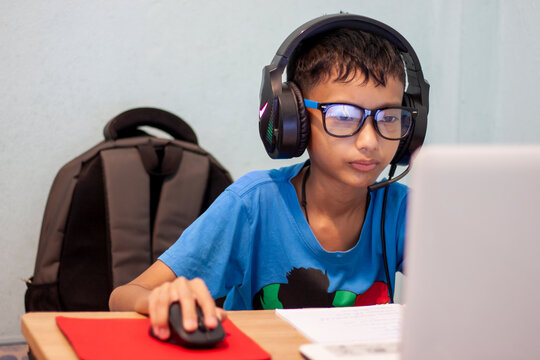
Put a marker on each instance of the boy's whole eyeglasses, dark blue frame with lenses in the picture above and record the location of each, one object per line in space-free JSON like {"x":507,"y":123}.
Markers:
{"x":344,"y":120}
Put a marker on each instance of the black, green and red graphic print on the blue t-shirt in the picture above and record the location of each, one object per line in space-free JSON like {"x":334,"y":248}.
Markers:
{"x":308,"y":287}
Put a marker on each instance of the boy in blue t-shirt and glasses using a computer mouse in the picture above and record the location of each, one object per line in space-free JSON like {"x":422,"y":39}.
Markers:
{"x":308,"y":234}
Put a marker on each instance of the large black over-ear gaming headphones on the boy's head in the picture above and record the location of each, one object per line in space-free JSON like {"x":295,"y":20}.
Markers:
{"x":283,"y":123}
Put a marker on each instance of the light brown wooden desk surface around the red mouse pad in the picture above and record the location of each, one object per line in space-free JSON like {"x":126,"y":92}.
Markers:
{"x":272,"y":333}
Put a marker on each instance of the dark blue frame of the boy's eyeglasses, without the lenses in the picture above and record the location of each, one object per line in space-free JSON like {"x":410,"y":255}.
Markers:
{"x":323,"y":107}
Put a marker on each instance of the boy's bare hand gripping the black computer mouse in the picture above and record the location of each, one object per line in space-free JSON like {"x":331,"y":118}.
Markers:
{"x":188,"y":293}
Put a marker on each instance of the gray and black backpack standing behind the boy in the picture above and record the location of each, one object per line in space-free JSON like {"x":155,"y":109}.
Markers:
{"x":114,"y":209}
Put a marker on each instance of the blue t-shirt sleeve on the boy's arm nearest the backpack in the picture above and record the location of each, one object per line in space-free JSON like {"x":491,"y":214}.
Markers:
{"x":212,"y":247}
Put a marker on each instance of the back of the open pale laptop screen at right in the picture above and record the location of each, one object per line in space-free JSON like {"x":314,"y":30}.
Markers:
{"x":473,"y":254}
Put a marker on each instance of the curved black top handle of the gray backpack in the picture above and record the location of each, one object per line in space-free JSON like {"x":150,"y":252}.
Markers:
{"x":126,"y":124}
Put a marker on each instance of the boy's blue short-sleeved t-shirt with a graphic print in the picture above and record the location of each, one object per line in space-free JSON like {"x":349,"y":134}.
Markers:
{"x":254,"y":246}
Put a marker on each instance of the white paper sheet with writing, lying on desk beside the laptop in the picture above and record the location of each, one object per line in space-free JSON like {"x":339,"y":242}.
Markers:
{"x":342,"y":325}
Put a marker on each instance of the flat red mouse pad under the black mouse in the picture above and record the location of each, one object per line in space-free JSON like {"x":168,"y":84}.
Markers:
{"x":95,"y":339}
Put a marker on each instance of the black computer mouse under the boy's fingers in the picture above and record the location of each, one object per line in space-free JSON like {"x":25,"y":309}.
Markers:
{"x":201,"y":338}
